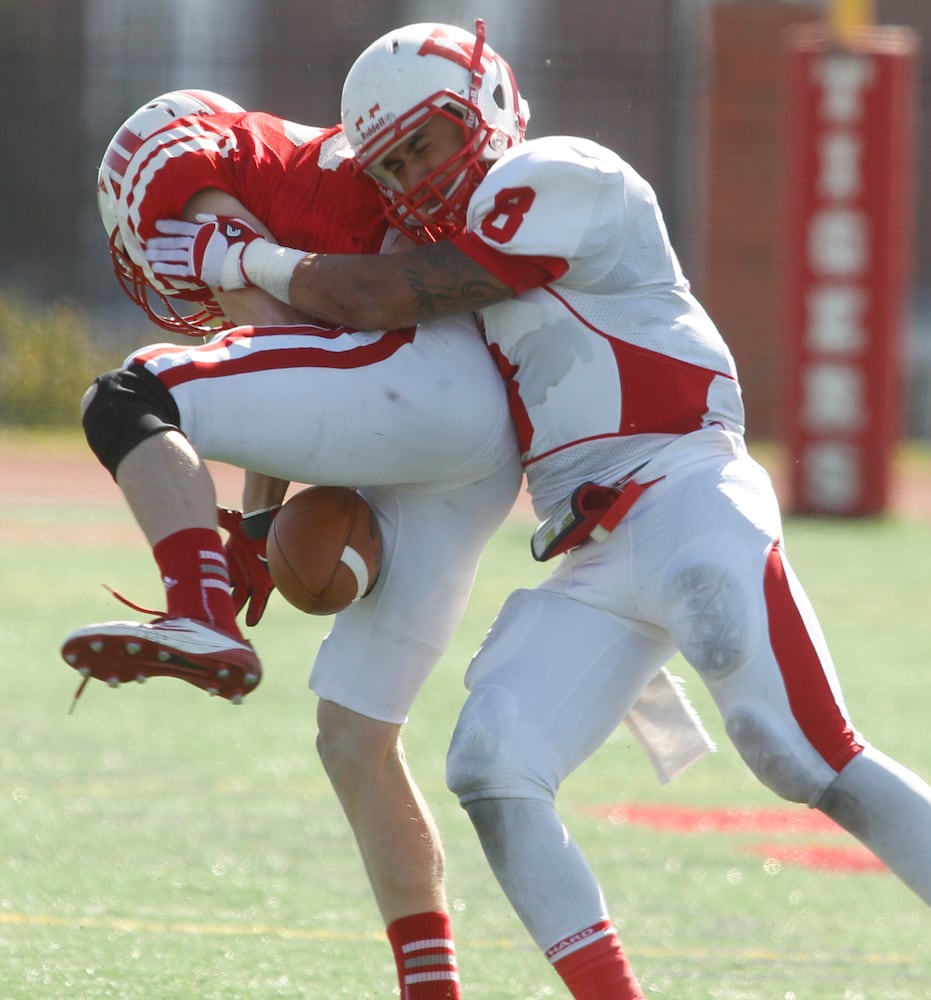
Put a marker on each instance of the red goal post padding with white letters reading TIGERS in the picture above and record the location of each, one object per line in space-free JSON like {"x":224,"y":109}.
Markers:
{"x":849,"y":164}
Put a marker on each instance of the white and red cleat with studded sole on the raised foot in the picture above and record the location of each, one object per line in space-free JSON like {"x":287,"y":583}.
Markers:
{"x":121,"y":652}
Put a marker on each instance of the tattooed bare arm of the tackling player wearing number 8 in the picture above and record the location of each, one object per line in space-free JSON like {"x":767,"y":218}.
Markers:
{"x":373,"y":293}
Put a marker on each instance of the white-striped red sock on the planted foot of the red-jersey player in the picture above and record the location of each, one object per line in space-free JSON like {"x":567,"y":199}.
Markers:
{"x":425,"y":956}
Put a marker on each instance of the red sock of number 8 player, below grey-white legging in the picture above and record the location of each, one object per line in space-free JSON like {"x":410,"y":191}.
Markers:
{"x":598,"y":969}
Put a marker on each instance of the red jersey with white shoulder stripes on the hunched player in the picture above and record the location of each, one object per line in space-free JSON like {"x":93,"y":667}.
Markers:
{"x":299,"y":180}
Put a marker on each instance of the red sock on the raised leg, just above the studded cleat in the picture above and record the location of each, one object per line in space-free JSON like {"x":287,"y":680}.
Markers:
{"x":197,"y":584}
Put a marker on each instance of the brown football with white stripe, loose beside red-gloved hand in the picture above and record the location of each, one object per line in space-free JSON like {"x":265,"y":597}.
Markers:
{"x":324,"y":549}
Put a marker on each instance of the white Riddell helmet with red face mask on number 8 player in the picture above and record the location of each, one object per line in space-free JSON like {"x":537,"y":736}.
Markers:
{"x":406,"y":77}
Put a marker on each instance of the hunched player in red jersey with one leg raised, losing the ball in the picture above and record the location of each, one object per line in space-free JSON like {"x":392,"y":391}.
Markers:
{"x":417,"y":418}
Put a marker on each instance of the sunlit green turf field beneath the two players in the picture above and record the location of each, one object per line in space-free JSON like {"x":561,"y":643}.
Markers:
{"x":160,"y":844}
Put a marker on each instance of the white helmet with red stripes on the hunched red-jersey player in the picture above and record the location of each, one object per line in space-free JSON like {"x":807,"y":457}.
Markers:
{"x":197,"y":312}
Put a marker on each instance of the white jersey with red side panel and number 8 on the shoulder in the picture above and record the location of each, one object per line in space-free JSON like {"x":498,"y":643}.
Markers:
{"x":607,"y":354}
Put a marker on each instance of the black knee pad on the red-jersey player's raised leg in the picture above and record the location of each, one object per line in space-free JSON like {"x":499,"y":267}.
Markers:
{"x":130,"y":405}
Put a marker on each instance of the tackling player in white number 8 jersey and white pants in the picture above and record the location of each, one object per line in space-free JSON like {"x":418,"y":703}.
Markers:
{"x":630,"y":422}
